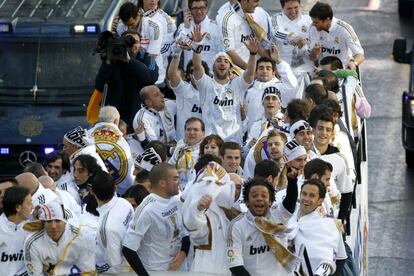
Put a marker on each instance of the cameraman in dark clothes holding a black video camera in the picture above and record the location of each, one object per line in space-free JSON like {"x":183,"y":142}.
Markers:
{"x":123,"y":72}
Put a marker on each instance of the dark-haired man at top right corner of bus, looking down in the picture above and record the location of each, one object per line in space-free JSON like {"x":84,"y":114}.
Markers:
{"x":331,"y":36}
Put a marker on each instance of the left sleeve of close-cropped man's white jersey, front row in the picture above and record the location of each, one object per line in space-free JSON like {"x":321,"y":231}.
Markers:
{"x":137,"y":229}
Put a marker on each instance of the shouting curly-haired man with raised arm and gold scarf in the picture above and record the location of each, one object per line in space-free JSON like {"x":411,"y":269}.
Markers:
{"x":251,"y":251}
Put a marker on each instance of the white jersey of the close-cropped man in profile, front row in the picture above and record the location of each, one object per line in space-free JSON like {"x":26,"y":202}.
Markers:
{"x":156,"y":231}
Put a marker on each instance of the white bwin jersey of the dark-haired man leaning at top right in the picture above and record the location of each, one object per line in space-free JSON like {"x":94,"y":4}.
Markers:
{"x":341,"y":41}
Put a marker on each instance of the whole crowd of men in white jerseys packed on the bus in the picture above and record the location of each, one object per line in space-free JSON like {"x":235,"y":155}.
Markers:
{"x":250,"y":171}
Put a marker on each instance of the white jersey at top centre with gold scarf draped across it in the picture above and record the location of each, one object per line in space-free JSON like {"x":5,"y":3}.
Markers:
{"x":235,"y":30}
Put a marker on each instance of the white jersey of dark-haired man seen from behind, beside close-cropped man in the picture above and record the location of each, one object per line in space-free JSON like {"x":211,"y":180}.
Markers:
{"x":114,"y":219}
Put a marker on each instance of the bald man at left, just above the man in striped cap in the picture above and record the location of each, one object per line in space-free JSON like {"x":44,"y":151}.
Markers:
{"x":39,"y":194}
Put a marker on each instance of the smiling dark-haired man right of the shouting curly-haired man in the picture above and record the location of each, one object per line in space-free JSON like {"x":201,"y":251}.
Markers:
{"x":317,"y":233}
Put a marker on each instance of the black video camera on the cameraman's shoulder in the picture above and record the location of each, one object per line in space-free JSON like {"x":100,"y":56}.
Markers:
{"x":114,"y":47}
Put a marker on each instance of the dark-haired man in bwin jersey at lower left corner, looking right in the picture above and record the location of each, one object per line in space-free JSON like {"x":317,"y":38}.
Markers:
{"x":17,"y":204}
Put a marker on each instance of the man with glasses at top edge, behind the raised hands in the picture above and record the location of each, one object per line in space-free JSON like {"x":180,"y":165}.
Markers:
{"x":212,"y":42}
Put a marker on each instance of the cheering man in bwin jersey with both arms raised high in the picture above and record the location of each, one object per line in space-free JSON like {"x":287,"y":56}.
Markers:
{"x":221,"y":95}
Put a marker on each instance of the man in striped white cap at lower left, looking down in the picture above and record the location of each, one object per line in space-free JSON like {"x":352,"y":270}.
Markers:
{"x":56,"y":247}
